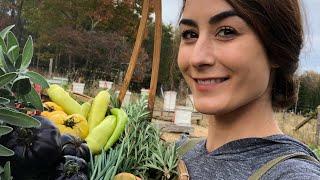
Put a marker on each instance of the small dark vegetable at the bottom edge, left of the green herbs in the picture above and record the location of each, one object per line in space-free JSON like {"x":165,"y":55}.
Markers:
{"x":72,"y":168}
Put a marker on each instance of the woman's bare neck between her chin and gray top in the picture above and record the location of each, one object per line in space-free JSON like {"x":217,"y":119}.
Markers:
{"x":253,"y":120}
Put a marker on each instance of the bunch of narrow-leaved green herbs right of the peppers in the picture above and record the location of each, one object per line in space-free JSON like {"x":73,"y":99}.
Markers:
{"x":140,"y":150}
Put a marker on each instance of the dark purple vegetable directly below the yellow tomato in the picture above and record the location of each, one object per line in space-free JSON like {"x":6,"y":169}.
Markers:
{"x":74,"y":146}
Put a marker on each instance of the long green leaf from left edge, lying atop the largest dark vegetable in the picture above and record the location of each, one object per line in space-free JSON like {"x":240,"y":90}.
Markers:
{"x":17,"y":118}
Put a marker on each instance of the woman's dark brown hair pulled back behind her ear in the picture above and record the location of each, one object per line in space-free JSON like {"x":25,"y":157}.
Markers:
{"x":279,"y":26}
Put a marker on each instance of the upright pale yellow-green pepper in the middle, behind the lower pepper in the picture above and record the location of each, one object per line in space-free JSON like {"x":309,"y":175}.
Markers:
{"x":98,"y":109}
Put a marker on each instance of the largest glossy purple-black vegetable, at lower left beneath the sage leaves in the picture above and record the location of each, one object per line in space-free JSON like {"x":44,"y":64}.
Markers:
{"x":36,"y":150}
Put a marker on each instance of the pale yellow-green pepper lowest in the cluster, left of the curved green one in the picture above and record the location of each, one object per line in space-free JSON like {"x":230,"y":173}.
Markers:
{"x":99,"y":136}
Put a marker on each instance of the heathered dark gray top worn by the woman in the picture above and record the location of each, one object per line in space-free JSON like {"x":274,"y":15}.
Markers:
{"x":241,"y":158}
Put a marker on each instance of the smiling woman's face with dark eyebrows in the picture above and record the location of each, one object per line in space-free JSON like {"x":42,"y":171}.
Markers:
{"x":221,"y":58}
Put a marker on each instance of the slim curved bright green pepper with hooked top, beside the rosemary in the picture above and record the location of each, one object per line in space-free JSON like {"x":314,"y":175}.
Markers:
{"x":122,"y":120}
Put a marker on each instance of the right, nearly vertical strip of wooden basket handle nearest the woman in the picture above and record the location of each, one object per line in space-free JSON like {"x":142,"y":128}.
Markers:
{"x":156,"y":55}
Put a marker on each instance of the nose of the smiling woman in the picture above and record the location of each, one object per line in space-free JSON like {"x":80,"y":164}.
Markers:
{"x":203,"y":53}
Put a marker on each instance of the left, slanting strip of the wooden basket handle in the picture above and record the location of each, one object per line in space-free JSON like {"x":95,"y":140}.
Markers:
{"x":136,"y":50}
